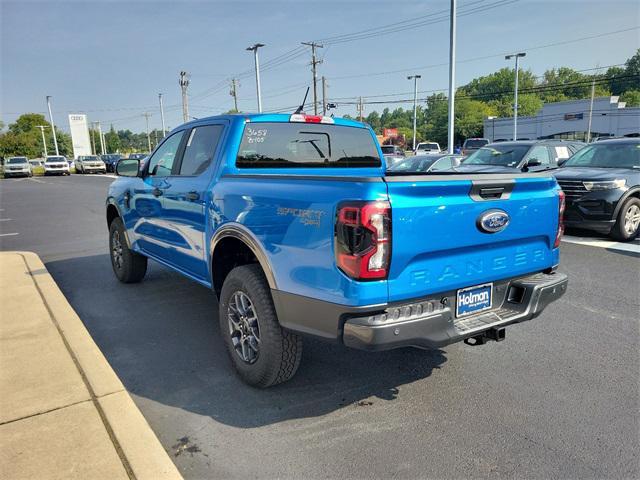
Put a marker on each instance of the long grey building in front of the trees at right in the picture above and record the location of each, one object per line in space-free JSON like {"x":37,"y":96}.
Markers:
{"x":570,"y":120}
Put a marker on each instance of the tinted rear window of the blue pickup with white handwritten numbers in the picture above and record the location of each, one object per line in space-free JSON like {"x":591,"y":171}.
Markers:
{"x":300,"y":145}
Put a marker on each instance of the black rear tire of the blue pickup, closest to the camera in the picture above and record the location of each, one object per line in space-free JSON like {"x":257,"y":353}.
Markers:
{"x":279,"y":351}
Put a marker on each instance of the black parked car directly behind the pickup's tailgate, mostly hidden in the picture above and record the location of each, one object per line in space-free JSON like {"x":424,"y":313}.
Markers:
{"x":524,"y":155}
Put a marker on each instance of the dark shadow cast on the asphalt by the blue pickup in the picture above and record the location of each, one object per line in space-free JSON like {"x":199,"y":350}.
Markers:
{"x":162,"y":338}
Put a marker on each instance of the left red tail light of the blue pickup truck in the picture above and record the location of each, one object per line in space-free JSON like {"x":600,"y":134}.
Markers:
{"x":363,"y":240}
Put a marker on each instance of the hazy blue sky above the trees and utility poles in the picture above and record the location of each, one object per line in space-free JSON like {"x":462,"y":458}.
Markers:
{"x":111,"y":58}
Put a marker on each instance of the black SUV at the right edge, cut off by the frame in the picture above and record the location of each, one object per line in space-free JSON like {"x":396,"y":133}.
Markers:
{"x":602,"y":187}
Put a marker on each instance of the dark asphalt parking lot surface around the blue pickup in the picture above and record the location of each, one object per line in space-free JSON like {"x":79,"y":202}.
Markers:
{"x":558,"y":399}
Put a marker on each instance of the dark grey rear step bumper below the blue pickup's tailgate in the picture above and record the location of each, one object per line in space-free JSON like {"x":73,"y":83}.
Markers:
{"x":521,"y":300}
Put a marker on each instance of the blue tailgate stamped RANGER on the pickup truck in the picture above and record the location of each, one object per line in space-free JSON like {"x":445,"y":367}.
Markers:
{"x":438,"y":245}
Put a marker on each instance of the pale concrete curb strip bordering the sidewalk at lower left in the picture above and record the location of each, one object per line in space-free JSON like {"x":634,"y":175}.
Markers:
{"x":139,"y":449}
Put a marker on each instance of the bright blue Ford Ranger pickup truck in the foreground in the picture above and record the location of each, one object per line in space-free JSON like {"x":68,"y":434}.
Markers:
{"x":294,"y":224}
